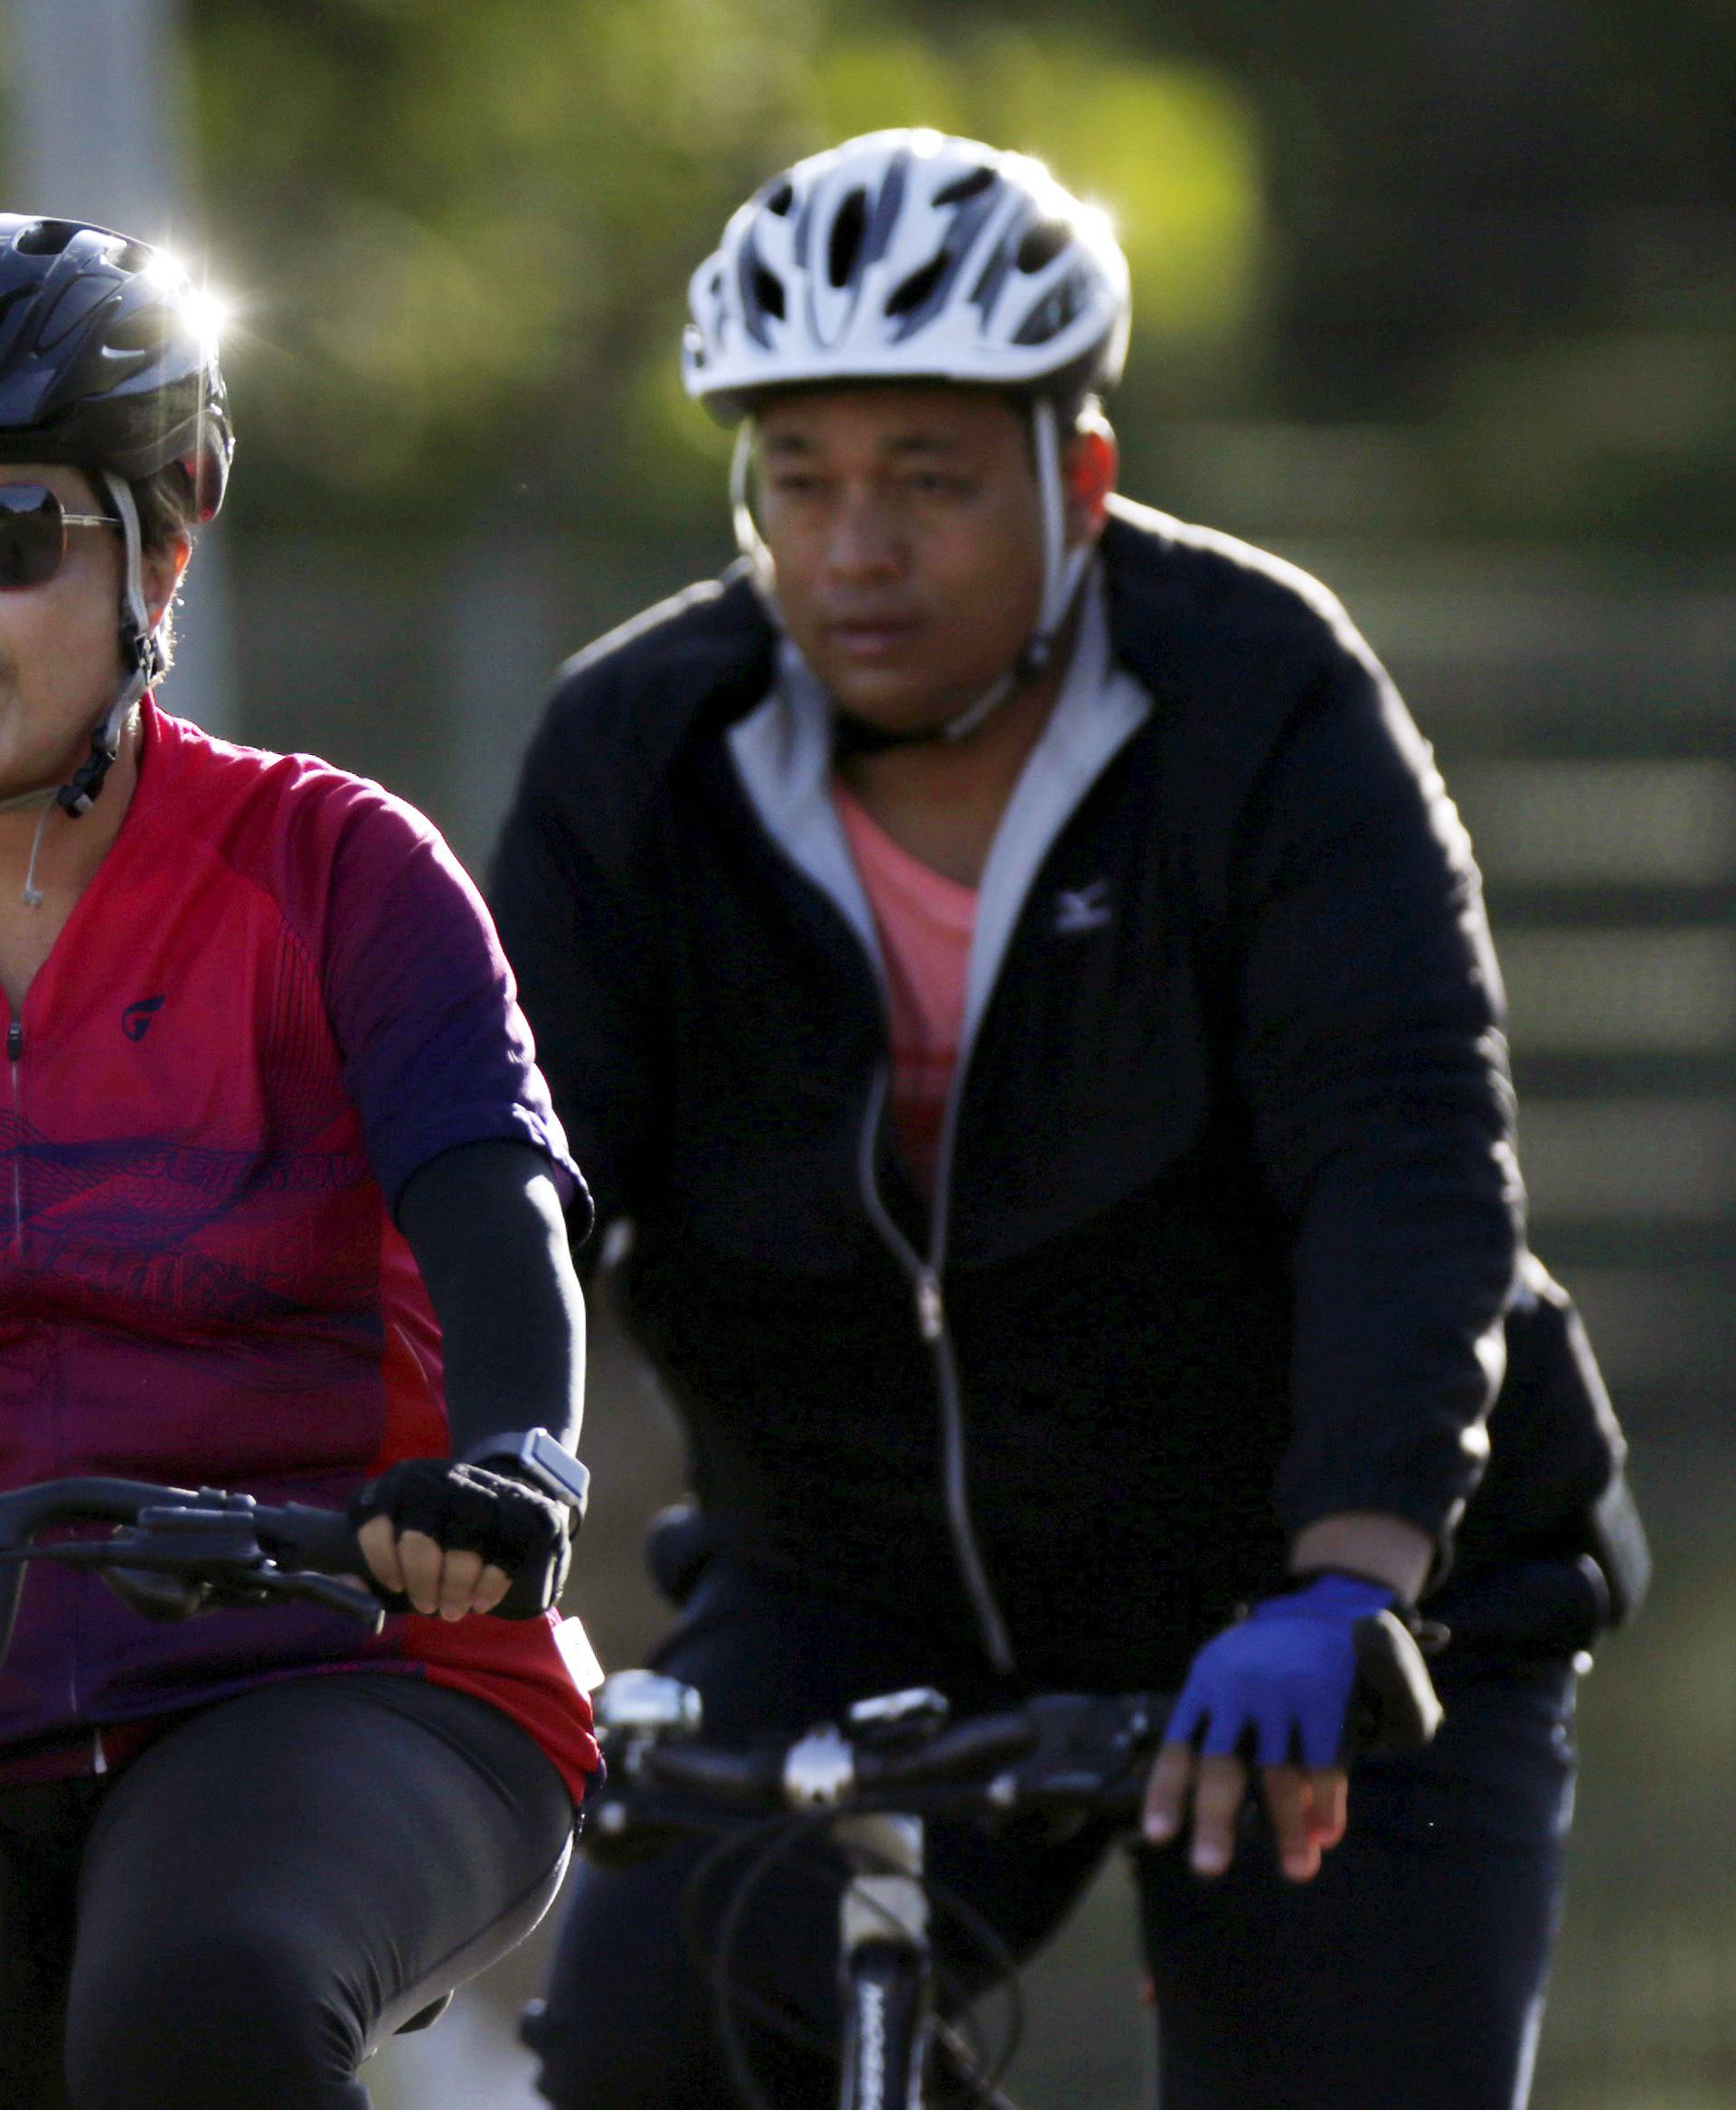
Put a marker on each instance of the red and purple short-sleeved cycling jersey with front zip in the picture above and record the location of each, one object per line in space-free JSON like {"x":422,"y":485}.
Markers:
{"x":277,"y":999}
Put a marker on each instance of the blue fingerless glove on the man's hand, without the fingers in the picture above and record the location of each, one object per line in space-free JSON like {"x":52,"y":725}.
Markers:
{"x":1279,"y":1685}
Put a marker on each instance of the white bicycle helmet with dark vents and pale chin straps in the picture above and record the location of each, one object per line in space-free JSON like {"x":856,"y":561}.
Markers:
{"x":912,"y":256}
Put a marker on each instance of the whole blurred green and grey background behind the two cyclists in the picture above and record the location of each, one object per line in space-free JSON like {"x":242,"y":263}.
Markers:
{"x":1433,"y":299}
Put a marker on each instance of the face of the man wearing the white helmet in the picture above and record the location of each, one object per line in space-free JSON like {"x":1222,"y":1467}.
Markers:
{"x":906,"y":533}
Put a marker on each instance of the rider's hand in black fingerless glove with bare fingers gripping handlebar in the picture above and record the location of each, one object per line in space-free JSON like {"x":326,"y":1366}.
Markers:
{"x":450,"y":1537}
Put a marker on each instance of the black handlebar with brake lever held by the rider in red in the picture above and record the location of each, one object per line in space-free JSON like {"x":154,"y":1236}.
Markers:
{"x":182,"y":1552}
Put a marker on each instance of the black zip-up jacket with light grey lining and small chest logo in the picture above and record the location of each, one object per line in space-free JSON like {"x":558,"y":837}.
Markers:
{"x":1229,"y":1225}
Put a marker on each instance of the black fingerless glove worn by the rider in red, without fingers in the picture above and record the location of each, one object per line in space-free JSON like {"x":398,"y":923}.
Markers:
{"x":474,"y":1510}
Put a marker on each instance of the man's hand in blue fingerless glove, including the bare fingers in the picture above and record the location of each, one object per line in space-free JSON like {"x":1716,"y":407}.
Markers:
{"x":1275,"y":1689}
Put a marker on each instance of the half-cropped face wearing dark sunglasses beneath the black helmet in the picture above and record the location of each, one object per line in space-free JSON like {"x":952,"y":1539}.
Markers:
{"x":60,"y":645}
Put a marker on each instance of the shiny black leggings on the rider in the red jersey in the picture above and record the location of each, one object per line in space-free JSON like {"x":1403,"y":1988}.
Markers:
{"x":282,"y":1881}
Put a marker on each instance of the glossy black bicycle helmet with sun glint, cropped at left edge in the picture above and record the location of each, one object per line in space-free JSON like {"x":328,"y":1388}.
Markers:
{"x":109,"y":358}
